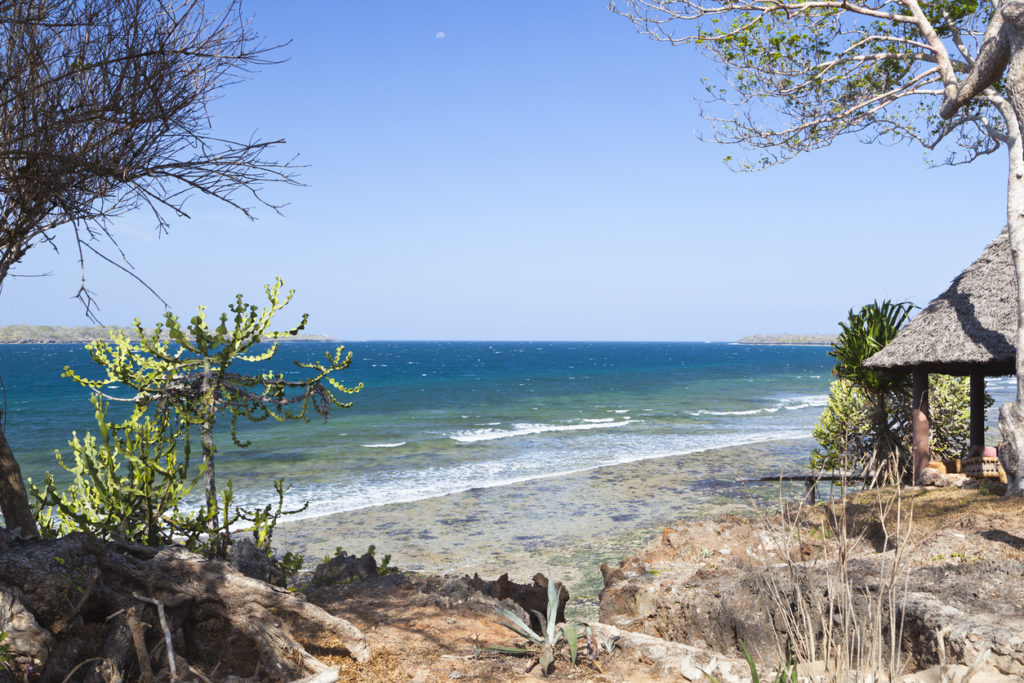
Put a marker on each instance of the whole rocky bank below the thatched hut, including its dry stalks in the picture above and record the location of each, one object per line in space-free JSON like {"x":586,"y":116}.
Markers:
{"x":860,"y":589}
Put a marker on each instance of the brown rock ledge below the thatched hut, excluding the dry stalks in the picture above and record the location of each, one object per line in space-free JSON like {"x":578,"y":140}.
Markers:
{"x":958,"y":596}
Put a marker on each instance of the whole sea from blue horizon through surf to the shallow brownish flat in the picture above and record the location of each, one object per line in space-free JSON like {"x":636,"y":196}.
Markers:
{"x":476,"y":457}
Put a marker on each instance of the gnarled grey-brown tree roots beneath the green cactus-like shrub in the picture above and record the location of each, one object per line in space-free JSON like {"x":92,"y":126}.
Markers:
{"x":68,"y":601}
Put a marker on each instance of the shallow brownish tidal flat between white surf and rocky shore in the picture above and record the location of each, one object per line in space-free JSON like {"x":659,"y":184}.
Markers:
{"x":565,"y":527}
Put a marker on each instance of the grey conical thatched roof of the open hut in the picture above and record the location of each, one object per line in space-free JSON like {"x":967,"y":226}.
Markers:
{"x":971,"y":327}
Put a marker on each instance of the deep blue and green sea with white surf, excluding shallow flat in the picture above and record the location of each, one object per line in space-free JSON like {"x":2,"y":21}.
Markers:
{"x":438,"y":418}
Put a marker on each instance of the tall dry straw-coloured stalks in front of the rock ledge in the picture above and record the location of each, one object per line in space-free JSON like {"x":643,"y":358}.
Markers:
{"x":836,"y":620}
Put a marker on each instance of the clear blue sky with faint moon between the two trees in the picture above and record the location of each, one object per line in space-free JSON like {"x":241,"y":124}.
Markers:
{"x":528,"y":172}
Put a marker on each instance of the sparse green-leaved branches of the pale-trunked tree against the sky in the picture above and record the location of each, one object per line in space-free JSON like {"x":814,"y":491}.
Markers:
{"x":797,"y":75}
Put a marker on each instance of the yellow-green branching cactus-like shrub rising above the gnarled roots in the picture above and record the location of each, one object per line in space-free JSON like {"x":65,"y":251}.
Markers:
{"x":130,"y":484}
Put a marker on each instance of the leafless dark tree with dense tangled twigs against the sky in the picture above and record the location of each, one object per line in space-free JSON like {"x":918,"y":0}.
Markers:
{"x":104,"y":110}
